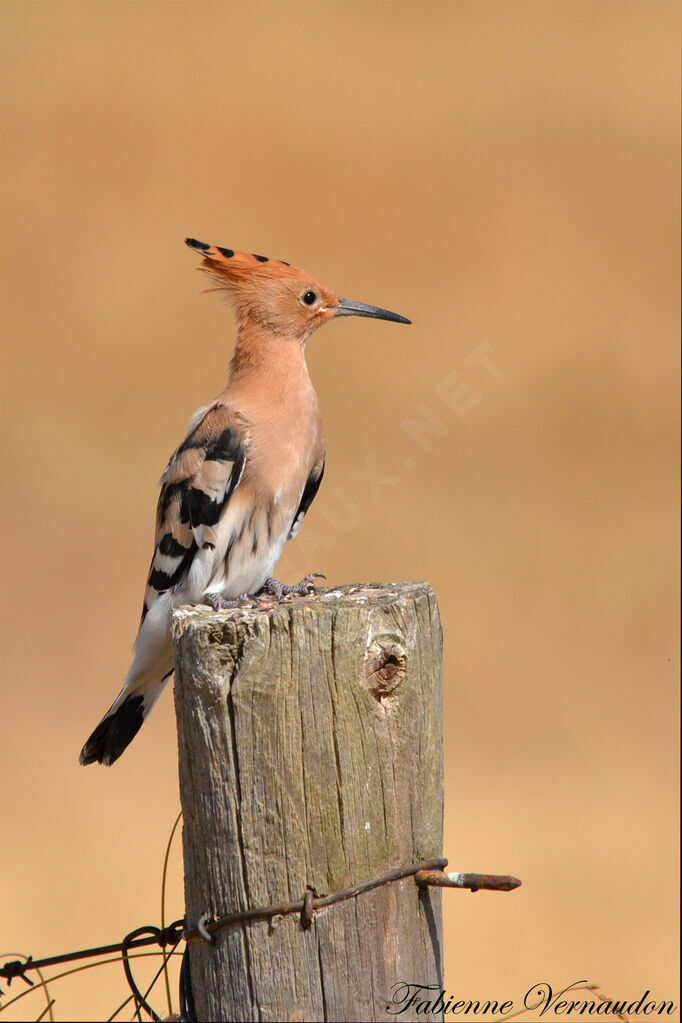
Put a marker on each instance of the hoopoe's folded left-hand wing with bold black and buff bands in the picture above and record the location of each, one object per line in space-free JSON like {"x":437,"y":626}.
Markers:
{"x":196,"y":487}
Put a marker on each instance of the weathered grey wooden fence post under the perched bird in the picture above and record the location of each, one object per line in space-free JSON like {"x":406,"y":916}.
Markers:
{"x":311,"y":758}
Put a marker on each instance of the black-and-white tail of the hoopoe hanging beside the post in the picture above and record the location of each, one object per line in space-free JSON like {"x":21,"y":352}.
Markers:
{"x":128,"y":713}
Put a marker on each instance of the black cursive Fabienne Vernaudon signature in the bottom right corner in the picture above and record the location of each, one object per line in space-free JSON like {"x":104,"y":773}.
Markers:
{"x":431,"y":1000}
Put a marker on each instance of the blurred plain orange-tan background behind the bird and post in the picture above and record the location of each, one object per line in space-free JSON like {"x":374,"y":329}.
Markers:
{"x":505,"y":174}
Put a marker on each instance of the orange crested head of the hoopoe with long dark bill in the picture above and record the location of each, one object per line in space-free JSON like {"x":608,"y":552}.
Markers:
{"x":276,"y":297}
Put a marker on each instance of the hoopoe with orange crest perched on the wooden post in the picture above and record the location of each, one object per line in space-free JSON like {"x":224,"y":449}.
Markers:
{"x":240,"y":485}
